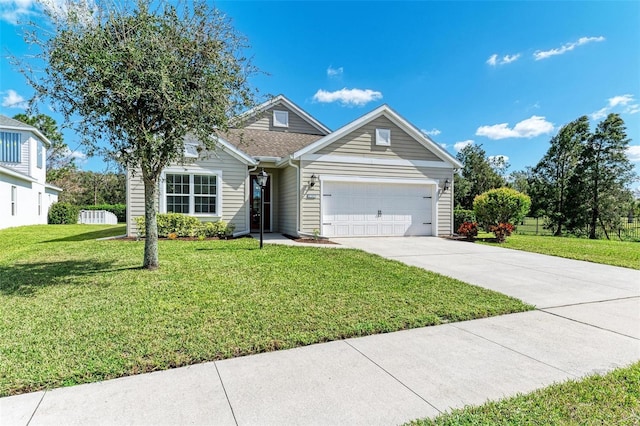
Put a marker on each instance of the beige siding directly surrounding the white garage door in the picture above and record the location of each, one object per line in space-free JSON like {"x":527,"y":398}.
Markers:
{"x":311,"y":206}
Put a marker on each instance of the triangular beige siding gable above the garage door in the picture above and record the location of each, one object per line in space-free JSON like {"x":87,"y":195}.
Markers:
{"x":362,"y":142}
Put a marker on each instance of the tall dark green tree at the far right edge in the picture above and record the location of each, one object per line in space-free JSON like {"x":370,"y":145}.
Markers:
{"x":603,"y":174}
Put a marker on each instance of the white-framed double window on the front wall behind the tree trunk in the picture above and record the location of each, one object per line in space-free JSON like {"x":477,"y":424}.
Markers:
{"x":191,"y":193}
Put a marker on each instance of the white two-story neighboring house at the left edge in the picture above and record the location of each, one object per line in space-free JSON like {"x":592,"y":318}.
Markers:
{"x":25,"y":197}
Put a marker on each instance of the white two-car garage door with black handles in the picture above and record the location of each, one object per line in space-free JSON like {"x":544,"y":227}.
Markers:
{"x":354,"y":209}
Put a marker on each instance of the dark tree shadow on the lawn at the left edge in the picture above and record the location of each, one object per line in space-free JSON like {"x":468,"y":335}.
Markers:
{"x":25,"y":279}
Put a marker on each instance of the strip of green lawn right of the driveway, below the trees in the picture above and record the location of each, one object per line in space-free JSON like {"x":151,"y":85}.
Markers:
{"x":609,"y":252}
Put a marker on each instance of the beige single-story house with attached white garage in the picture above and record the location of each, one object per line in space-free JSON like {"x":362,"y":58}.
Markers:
{"x":376,"y":176}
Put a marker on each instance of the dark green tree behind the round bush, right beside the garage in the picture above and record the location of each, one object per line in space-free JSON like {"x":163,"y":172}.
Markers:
{"x":478,"y":175}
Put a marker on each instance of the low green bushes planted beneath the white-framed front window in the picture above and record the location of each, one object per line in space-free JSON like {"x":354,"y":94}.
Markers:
{"x":186,"y":226}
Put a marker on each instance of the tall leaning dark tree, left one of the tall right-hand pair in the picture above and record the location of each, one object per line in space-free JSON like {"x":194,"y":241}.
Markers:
{"x":549,"y":182}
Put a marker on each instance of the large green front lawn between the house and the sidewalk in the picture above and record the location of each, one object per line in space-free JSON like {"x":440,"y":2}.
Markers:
{"x":76,"y":310}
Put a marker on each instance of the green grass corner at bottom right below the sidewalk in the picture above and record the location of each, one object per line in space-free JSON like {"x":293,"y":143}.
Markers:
{"x":613,"y":399}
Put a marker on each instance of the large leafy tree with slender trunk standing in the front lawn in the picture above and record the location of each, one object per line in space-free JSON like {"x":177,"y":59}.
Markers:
{"x":142,"y":79}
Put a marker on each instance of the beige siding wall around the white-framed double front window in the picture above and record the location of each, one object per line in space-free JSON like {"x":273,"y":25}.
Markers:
{"x":234,"y":193}
